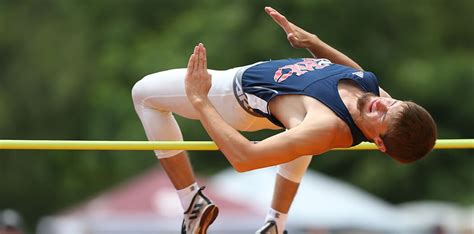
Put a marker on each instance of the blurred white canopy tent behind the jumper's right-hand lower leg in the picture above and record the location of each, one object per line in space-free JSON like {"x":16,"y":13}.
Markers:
{"x":321,"y":202}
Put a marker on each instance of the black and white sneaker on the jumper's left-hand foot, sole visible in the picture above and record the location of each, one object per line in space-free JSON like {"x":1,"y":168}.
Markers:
{"x":200,"y":214}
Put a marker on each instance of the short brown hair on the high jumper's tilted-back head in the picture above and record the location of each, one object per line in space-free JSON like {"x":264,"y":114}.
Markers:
{"x":411,"y":135}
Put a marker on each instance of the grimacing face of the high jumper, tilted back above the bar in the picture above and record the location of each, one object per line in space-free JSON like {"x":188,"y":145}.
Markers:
{"x":377,"y":112}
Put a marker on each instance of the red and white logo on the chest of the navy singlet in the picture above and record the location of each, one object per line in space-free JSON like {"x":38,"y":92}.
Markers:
{"x":300,"y":68}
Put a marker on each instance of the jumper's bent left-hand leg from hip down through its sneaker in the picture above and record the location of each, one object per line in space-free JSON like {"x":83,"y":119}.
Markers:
{"x":155,"y":98}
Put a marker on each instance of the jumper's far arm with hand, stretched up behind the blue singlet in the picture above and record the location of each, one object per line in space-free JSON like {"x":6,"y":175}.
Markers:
{"x":300,"y":38}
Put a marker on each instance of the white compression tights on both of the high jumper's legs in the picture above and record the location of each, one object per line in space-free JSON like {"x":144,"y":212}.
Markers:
{"x":158,"y":95}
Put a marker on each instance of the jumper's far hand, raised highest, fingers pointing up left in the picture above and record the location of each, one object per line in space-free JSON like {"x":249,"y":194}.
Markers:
{"x":297,"y":37}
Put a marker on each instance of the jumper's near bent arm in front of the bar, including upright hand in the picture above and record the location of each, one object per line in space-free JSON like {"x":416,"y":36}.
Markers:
{"x":240,"y":152}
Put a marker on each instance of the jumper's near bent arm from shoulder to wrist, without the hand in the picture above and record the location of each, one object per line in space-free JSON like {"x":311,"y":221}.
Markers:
{"x":244,"y":155}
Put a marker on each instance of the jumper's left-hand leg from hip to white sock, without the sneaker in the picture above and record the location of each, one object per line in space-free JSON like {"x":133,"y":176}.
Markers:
{"x":159,"y":95}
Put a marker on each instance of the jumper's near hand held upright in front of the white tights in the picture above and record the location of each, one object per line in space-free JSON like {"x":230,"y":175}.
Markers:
{"x":197,"y":80}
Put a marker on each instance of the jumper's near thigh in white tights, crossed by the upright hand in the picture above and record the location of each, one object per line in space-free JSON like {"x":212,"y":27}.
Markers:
{"x":165,"y":91}
